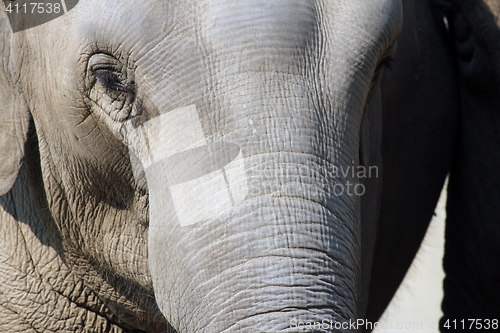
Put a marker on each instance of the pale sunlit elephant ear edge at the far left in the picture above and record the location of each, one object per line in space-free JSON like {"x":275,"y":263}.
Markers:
{"x":14,"y":113}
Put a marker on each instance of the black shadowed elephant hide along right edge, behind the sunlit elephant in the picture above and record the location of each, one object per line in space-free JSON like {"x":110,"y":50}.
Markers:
{"x":471,"y":261}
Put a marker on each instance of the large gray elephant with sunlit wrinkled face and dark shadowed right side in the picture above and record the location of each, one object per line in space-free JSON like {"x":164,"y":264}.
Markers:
{"x":186,"y":166}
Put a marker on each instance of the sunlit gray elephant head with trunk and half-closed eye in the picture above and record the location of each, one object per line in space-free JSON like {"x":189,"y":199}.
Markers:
{"x":204,"y":156}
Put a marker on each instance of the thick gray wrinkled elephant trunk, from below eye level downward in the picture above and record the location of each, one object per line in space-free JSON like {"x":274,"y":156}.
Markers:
{"x":267,"y":242}
